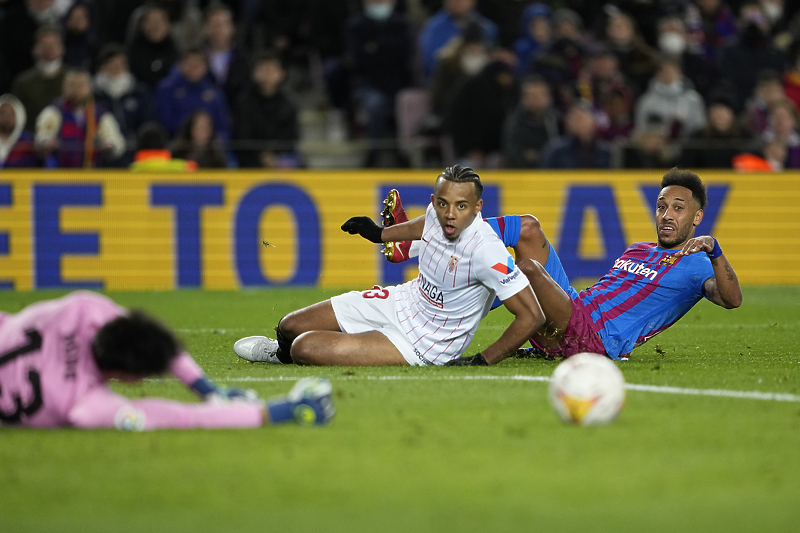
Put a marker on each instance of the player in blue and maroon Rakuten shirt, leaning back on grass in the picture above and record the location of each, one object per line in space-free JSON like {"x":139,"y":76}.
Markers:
{"x":647,"y":290}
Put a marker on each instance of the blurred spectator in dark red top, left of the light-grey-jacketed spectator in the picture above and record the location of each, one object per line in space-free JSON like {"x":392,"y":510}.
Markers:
{"x":612,"y":96}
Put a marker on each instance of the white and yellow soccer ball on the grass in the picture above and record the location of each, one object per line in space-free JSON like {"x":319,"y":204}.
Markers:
{"x":587,"y":389}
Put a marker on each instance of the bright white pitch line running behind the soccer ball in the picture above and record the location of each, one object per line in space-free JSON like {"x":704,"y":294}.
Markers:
{"x":747,"y":395}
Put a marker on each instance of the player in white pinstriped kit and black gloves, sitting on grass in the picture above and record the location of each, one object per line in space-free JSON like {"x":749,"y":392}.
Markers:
{"x":429,"y":320}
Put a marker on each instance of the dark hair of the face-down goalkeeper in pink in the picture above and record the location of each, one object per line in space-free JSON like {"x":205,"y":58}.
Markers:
{"x":135,"y":344}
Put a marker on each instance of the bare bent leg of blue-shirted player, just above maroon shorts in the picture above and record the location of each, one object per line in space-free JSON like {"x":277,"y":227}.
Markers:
{"x":556,"y":305}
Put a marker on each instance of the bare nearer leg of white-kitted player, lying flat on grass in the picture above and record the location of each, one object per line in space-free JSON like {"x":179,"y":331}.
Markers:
{"x":325,"y":348}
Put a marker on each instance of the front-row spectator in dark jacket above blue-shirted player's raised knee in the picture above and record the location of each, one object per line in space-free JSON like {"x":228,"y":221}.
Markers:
{"x":533,"y":123}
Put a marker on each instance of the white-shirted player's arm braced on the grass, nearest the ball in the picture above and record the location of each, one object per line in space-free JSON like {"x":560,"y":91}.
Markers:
{"x":528,"y":317}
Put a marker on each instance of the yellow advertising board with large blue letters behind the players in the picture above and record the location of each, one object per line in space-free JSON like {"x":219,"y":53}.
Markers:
{"x":135,"y":231}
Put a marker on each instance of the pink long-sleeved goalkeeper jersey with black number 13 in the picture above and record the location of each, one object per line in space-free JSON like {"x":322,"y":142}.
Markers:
{"x":48,"y":376}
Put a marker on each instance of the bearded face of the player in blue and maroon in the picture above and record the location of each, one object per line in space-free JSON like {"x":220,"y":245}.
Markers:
{"x":677,"y":214}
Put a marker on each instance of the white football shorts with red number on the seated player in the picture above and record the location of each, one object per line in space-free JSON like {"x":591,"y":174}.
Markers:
{"x":373,"y":310}
